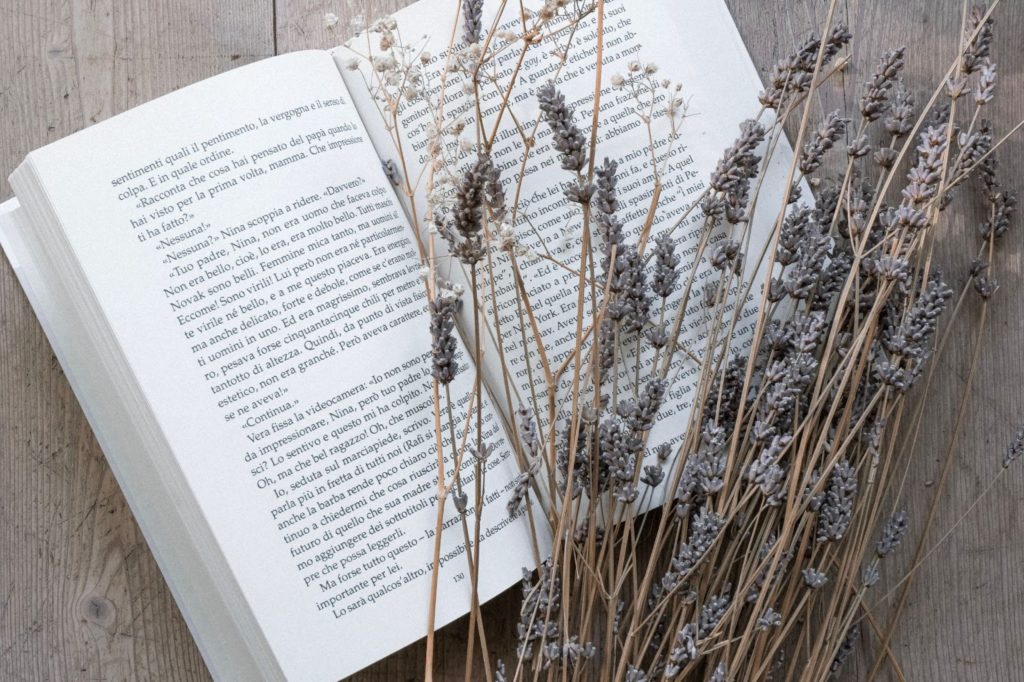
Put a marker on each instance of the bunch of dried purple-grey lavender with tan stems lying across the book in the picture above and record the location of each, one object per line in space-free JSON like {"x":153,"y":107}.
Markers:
{"x":756,"y":431}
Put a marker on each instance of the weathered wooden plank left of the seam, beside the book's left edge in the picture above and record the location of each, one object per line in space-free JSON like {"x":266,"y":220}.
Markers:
{"x":82,"y":599}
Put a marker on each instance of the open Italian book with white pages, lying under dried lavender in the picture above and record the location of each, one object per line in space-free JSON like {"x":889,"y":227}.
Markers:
{"x":232,"y":286}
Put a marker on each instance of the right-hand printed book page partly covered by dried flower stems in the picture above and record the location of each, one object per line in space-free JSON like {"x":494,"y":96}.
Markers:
{"x":424,"y":120}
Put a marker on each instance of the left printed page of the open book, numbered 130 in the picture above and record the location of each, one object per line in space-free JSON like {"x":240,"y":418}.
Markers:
{"x":243,"y":246}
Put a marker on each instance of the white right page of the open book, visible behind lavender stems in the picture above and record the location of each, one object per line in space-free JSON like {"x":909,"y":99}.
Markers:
{"x":692,"y":42}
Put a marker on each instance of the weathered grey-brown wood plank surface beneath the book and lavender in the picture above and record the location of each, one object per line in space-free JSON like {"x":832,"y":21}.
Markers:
{"x":80,"y":595}
